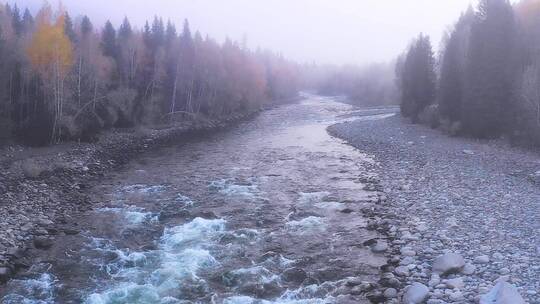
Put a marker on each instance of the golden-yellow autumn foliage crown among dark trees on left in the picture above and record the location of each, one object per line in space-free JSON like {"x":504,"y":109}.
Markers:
{"x":50,"y":50}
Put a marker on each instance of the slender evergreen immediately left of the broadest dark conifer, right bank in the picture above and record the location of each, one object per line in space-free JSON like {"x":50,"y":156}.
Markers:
{"x":450,"y":95}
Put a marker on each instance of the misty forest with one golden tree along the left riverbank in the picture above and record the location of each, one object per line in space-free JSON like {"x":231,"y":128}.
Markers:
{"x":67,"y":79}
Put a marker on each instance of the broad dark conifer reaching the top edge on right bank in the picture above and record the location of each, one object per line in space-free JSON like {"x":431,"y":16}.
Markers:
{"x":489,"y":72}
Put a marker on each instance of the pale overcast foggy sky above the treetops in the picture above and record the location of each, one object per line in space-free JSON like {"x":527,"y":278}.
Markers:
{"x":324,"y":31}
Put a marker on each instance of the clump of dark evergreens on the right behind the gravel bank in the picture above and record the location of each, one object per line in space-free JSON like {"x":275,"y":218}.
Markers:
{"x":486,"y":81}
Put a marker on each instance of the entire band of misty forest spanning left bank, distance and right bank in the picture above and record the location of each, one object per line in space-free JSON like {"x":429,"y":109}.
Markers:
{"x":68,"y":79}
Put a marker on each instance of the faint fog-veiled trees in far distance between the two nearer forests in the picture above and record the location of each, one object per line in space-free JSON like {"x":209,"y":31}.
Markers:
{"x":370,"y":85}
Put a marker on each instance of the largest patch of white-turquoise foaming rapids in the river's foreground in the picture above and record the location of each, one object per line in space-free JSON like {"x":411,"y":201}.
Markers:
{"x":158,"y":276}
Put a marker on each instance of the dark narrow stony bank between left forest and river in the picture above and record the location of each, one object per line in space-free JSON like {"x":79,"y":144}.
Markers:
{"x":42,"y":189}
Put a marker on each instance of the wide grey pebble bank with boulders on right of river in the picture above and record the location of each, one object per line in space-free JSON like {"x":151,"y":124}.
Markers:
{"x":464,"y":214}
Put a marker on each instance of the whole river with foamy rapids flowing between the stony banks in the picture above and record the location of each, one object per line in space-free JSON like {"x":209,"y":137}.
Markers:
{"x":268,"y":212}
